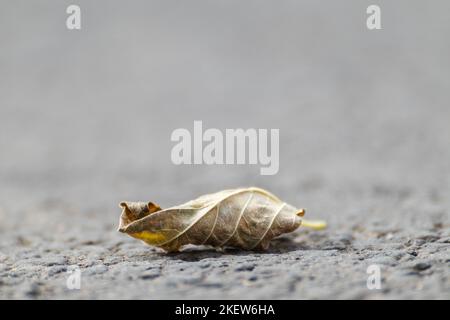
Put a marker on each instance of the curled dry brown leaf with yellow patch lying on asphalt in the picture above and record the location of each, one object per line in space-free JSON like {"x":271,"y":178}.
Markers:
{"x":247,"y":218}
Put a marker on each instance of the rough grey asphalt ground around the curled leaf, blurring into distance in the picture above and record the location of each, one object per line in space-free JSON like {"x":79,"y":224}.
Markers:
{"x":86,"y":118}
